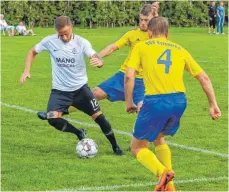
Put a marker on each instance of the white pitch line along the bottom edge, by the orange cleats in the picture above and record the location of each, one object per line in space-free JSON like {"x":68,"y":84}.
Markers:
{"x":97,"y":188}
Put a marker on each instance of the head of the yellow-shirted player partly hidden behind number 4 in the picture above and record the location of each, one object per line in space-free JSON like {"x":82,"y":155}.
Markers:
{"x":147,"y":12}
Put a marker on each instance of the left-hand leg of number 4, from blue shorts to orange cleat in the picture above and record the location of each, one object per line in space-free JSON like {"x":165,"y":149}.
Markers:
{"x":151,"y":120}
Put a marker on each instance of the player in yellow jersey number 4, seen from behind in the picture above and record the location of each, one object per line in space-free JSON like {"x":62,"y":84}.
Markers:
{"x":162,"y":63}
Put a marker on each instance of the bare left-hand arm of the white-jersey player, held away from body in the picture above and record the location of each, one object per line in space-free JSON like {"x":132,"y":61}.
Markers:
{"x":29,"y":60}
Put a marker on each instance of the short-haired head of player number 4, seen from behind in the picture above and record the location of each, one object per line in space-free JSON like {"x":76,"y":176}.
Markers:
{"x":158,"y":27}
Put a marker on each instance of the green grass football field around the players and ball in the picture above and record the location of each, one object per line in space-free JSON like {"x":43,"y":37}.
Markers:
{"x":34,"y":156}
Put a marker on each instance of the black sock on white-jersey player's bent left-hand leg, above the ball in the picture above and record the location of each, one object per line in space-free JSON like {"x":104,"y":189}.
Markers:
{"x":63,"y":125}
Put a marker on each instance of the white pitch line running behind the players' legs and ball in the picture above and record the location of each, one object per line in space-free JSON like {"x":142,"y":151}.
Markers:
{"x":123,"y":132}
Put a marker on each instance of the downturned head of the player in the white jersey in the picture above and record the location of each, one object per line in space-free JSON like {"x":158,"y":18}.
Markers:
{"x":63,"y":26}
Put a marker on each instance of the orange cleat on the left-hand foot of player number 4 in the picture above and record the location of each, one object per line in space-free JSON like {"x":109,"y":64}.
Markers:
{"x":167,"y":176}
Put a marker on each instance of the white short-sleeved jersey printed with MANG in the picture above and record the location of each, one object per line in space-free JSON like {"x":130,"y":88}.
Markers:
{"x":68,"y":65}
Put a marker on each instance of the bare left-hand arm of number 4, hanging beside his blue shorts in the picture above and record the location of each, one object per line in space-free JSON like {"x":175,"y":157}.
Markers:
{"x":129,"y":86}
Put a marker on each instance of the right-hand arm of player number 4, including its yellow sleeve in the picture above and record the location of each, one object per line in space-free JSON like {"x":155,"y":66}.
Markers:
{"x":195,"y":70}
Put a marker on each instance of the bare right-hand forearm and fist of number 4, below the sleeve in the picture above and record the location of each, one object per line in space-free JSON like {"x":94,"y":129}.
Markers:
{"x":209,"y":91}
